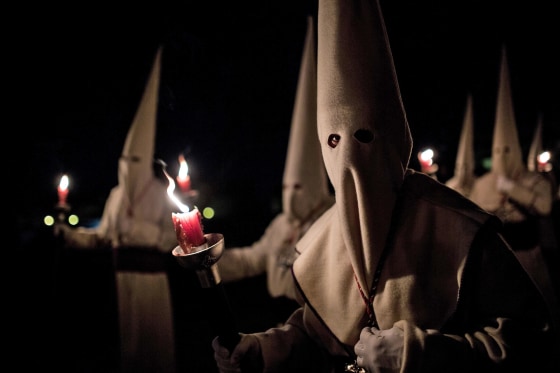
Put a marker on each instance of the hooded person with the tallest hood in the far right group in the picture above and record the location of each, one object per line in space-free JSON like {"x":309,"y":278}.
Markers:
{"x":519,"y":197}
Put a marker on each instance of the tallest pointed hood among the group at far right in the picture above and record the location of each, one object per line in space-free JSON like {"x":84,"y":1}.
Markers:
{"x":507,"y":157}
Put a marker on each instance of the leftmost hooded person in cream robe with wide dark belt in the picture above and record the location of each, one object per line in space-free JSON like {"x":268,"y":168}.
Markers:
{"x":136,"y":222}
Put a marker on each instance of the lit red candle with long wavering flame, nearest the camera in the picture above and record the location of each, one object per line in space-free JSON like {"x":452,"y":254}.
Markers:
{"x":187,"y":223}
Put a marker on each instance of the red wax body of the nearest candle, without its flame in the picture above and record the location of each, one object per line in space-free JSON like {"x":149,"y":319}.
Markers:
{"x":188,"y":227}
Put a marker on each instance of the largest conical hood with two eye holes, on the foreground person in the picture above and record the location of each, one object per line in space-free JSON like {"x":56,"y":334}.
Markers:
{"x":362,"y":125}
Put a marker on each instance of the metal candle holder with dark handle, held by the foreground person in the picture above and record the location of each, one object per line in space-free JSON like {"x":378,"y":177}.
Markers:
{"x":204,"y":262}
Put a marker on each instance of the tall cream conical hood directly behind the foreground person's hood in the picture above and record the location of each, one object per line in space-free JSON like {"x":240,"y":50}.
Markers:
{"x":305,"y":179}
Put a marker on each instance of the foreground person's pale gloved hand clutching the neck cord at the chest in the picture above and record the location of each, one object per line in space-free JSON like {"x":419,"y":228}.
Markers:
{"x":380,"y":349}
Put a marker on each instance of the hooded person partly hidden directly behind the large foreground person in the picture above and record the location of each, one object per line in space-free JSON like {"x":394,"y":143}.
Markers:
{"x":305,"y":193}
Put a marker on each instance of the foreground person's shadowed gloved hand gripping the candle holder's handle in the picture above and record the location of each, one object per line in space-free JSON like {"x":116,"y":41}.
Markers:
{"x":245,"y":357}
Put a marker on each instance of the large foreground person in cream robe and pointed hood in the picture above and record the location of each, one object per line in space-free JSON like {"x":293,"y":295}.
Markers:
{"x":402,"y":274}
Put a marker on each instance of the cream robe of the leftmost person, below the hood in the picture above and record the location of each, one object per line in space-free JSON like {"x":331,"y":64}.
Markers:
{"x":144,"y":299}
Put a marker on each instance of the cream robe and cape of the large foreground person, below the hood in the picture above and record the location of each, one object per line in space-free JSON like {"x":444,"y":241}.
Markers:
{"x":450,"y":282}
